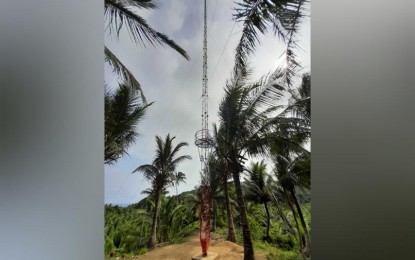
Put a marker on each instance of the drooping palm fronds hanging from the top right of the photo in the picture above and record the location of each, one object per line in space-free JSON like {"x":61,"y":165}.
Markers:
{"x":284,"y":16}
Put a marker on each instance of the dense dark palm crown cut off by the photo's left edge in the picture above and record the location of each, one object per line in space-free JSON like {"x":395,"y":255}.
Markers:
{"x":123,"y":112}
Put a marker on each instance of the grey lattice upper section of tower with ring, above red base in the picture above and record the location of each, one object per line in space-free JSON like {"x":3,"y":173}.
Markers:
{"x":203,"y":137}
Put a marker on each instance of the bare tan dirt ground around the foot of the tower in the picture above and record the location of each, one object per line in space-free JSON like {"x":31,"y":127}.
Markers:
{"x":185,"y":251}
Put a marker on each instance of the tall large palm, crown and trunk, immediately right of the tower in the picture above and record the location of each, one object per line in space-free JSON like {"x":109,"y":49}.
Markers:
{"x":246,"y":119}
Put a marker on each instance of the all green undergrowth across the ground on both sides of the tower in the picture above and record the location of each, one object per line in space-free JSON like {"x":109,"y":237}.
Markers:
{"x":127,"y":229}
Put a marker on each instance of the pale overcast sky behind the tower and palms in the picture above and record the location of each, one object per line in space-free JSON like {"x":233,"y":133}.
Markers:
{"x":175,"y":85}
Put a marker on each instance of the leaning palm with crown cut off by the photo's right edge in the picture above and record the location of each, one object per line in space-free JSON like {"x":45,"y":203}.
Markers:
{"x":292,"y":160}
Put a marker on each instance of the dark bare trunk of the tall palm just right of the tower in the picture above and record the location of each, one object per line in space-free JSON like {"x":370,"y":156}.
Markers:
{"x":246,"y":233}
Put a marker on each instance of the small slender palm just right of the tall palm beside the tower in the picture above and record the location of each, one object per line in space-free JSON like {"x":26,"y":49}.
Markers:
{"x":257,"y":185}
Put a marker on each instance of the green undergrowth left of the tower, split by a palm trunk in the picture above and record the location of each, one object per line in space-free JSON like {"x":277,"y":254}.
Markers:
{"x":127,"y":230}
